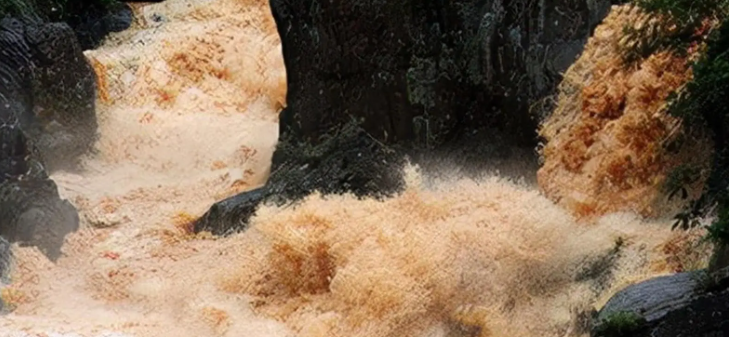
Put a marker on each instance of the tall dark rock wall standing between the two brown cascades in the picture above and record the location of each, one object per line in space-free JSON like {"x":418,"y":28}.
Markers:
{"x":417,"y":76}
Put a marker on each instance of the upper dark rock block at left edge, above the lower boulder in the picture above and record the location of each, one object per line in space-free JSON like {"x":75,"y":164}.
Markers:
{"x":50,"y":89}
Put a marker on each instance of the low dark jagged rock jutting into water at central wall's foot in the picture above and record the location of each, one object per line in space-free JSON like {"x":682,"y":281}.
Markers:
{"x":349,"y":161}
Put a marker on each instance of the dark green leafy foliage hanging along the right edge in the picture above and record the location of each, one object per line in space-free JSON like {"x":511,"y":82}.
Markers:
{"x":701,"y":103}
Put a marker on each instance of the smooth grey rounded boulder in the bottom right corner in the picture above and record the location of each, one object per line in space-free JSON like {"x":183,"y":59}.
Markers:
{"x":686,"y":304}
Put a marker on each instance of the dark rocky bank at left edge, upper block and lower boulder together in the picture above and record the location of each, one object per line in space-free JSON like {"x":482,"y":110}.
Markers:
{"x":45,"y":84}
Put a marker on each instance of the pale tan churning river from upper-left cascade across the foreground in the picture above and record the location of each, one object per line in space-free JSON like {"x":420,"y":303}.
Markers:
{"x":188,"y":108}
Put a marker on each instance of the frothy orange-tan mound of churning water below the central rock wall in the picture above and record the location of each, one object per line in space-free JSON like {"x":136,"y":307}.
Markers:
{"x":490,"y":254}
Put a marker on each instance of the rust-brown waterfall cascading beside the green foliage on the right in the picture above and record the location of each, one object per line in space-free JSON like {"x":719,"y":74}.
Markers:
{"x":602,"y":148}
